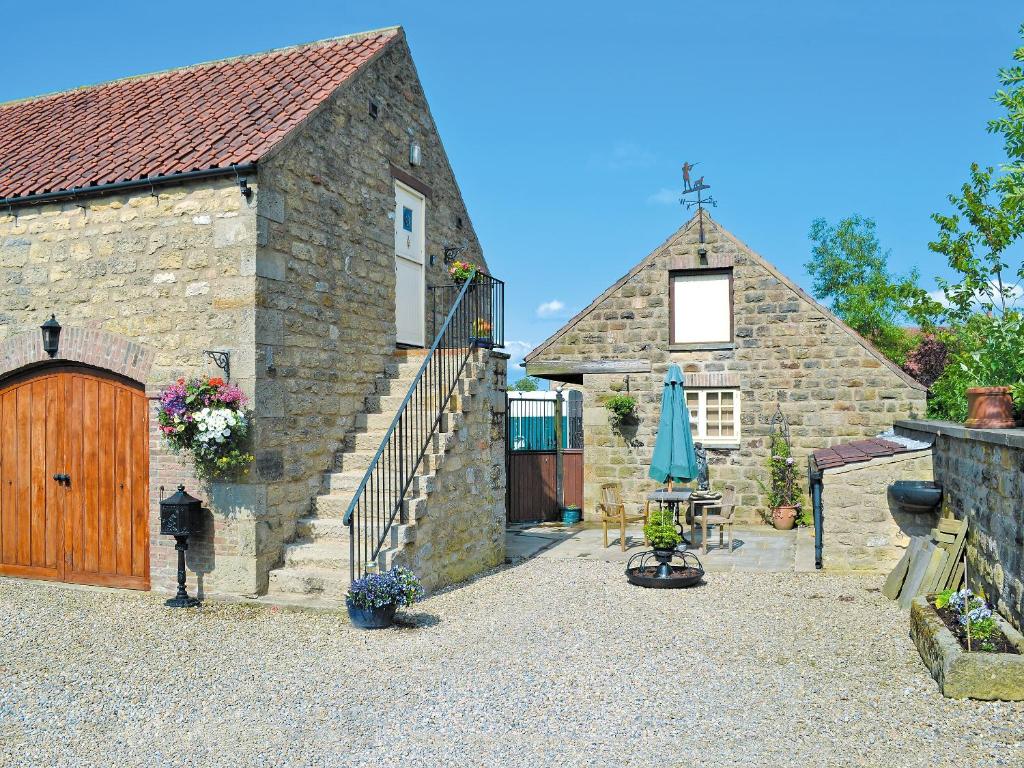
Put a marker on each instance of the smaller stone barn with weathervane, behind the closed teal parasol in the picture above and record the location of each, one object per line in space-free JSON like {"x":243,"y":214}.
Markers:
{"x":749,"y":342}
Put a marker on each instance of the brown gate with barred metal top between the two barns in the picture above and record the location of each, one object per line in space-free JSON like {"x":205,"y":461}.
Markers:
{"x":544,"y":432}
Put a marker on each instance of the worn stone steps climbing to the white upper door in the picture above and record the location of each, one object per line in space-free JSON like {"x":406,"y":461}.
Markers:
{"x":316,"y":565}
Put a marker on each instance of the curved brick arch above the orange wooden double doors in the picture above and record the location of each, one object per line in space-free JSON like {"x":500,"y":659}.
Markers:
{"x":92,"y":347}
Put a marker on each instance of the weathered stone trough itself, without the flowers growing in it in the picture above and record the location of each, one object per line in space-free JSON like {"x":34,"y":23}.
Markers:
{"x":963,"y":675}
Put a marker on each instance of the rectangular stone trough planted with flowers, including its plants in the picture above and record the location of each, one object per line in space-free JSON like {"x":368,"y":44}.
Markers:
{"x":970,"y":650}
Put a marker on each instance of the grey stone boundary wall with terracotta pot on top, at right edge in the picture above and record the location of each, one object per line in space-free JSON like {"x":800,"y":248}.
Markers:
{"x":983,"y":477}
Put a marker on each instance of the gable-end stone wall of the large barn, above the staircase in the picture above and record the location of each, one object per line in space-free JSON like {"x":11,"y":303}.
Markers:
{"x":325,"y":267}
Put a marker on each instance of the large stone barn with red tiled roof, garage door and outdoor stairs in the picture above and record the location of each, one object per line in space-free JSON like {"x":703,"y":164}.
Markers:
{"x":292,"y":209}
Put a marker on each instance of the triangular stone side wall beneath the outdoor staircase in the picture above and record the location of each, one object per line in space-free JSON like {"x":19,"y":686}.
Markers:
{"x":464,"y":530}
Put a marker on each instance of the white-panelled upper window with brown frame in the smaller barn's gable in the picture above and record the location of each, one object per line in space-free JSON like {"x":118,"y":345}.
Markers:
{"x":702,"y":308}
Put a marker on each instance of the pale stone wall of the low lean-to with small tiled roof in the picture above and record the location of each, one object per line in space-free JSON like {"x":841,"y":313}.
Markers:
{"x":861,"y":530}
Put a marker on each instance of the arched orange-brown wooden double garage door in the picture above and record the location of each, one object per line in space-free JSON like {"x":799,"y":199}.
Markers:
{"x":92,"y":528}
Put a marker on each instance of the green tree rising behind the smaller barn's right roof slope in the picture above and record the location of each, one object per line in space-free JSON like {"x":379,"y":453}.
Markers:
{"x":851,"y":272}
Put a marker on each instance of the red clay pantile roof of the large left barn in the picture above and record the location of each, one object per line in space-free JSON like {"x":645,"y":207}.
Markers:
{"x":207,"y":116}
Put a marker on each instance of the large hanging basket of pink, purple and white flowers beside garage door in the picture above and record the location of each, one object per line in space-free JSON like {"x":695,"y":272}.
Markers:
{"x":206,"y":419}
